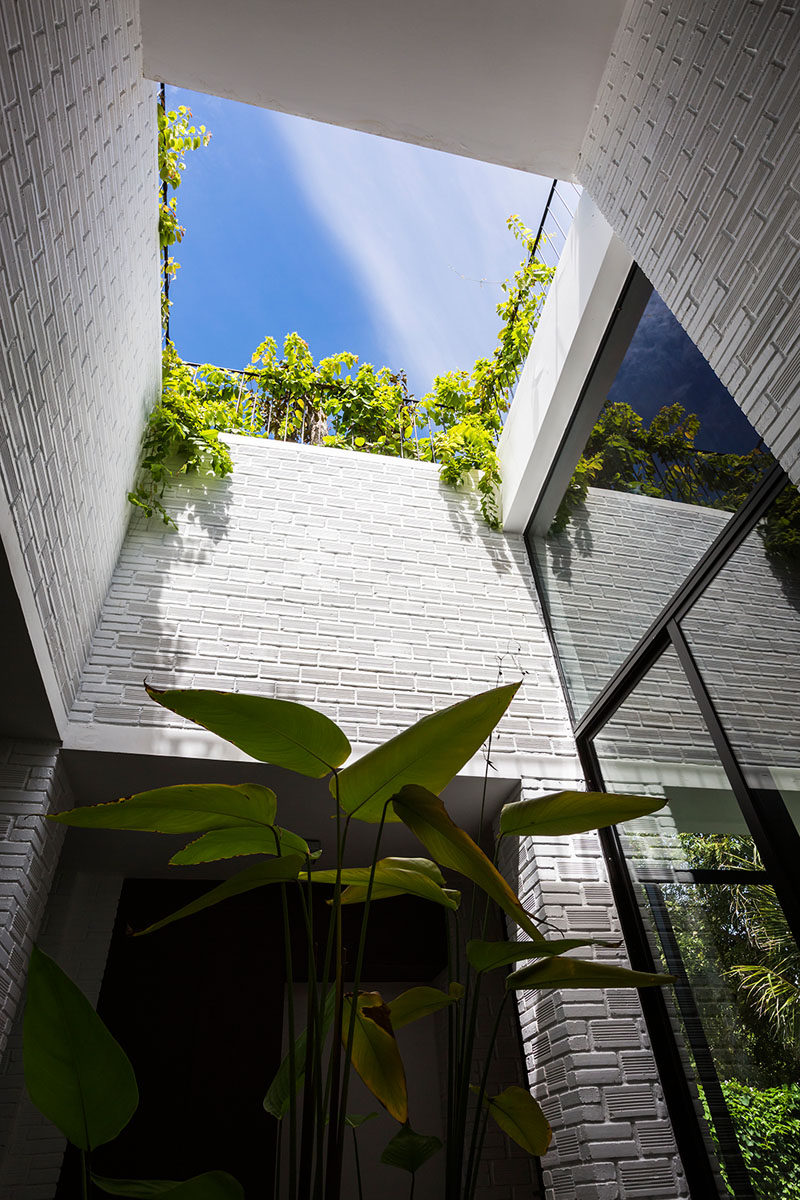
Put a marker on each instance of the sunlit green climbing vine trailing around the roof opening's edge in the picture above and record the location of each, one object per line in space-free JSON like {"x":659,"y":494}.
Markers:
{"x":336,"y":401}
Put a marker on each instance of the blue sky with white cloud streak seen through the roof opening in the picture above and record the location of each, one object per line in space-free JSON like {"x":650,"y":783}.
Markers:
{"x":358,"y":243}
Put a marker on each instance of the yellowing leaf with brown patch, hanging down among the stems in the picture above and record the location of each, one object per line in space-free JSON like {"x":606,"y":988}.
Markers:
{"x":375,"y":1053}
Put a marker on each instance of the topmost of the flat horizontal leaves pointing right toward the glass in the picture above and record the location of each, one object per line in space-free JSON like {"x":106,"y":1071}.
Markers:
{"x":567,"y":813}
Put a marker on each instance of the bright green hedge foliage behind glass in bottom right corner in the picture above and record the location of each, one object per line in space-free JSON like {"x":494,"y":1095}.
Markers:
{"x":767,"y":1121}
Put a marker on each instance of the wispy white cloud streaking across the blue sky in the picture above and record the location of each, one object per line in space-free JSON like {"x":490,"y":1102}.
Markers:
{"x":422,"y":231}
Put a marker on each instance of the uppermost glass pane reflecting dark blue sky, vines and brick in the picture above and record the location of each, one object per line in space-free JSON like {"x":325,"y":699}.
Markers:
{"x":669,"y":460}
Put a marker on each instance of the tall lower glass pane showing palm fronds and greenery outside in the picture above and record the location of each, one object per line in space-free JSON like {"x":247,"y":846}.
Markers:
{"x":715,"y":923}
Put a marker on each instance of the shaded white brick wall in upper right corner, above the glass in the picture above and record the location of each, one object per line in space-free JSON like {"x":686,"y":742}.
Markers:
{"x":693,"y":157}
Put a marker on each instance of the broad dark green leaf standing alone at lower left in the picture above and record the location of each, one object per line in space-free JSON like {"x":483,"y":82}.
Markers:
{"x":76,"y":1073}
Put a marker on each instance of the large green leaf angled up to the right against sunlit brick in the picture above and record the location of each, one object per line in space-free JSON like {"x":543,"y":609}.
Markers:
{"x":430,"y":754}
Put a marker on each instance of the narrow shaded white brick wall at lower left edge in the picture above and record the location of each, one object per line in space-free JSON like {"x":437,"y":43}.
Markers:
{"x":32,"y":784}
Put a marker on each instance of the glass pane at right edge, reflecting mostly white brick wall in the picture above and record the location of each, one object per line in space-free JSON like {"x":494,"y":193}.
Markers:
{"x":745,"y":637}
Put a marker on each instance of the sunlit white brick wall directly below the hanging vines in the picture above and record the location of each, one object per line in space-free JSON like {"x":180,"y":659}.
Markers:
{"x":352,"y":583}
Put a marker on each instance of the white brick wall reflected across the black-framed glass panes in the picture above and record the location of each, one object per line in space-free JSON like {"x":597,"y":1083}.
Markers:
{"x":610,"y":574}
